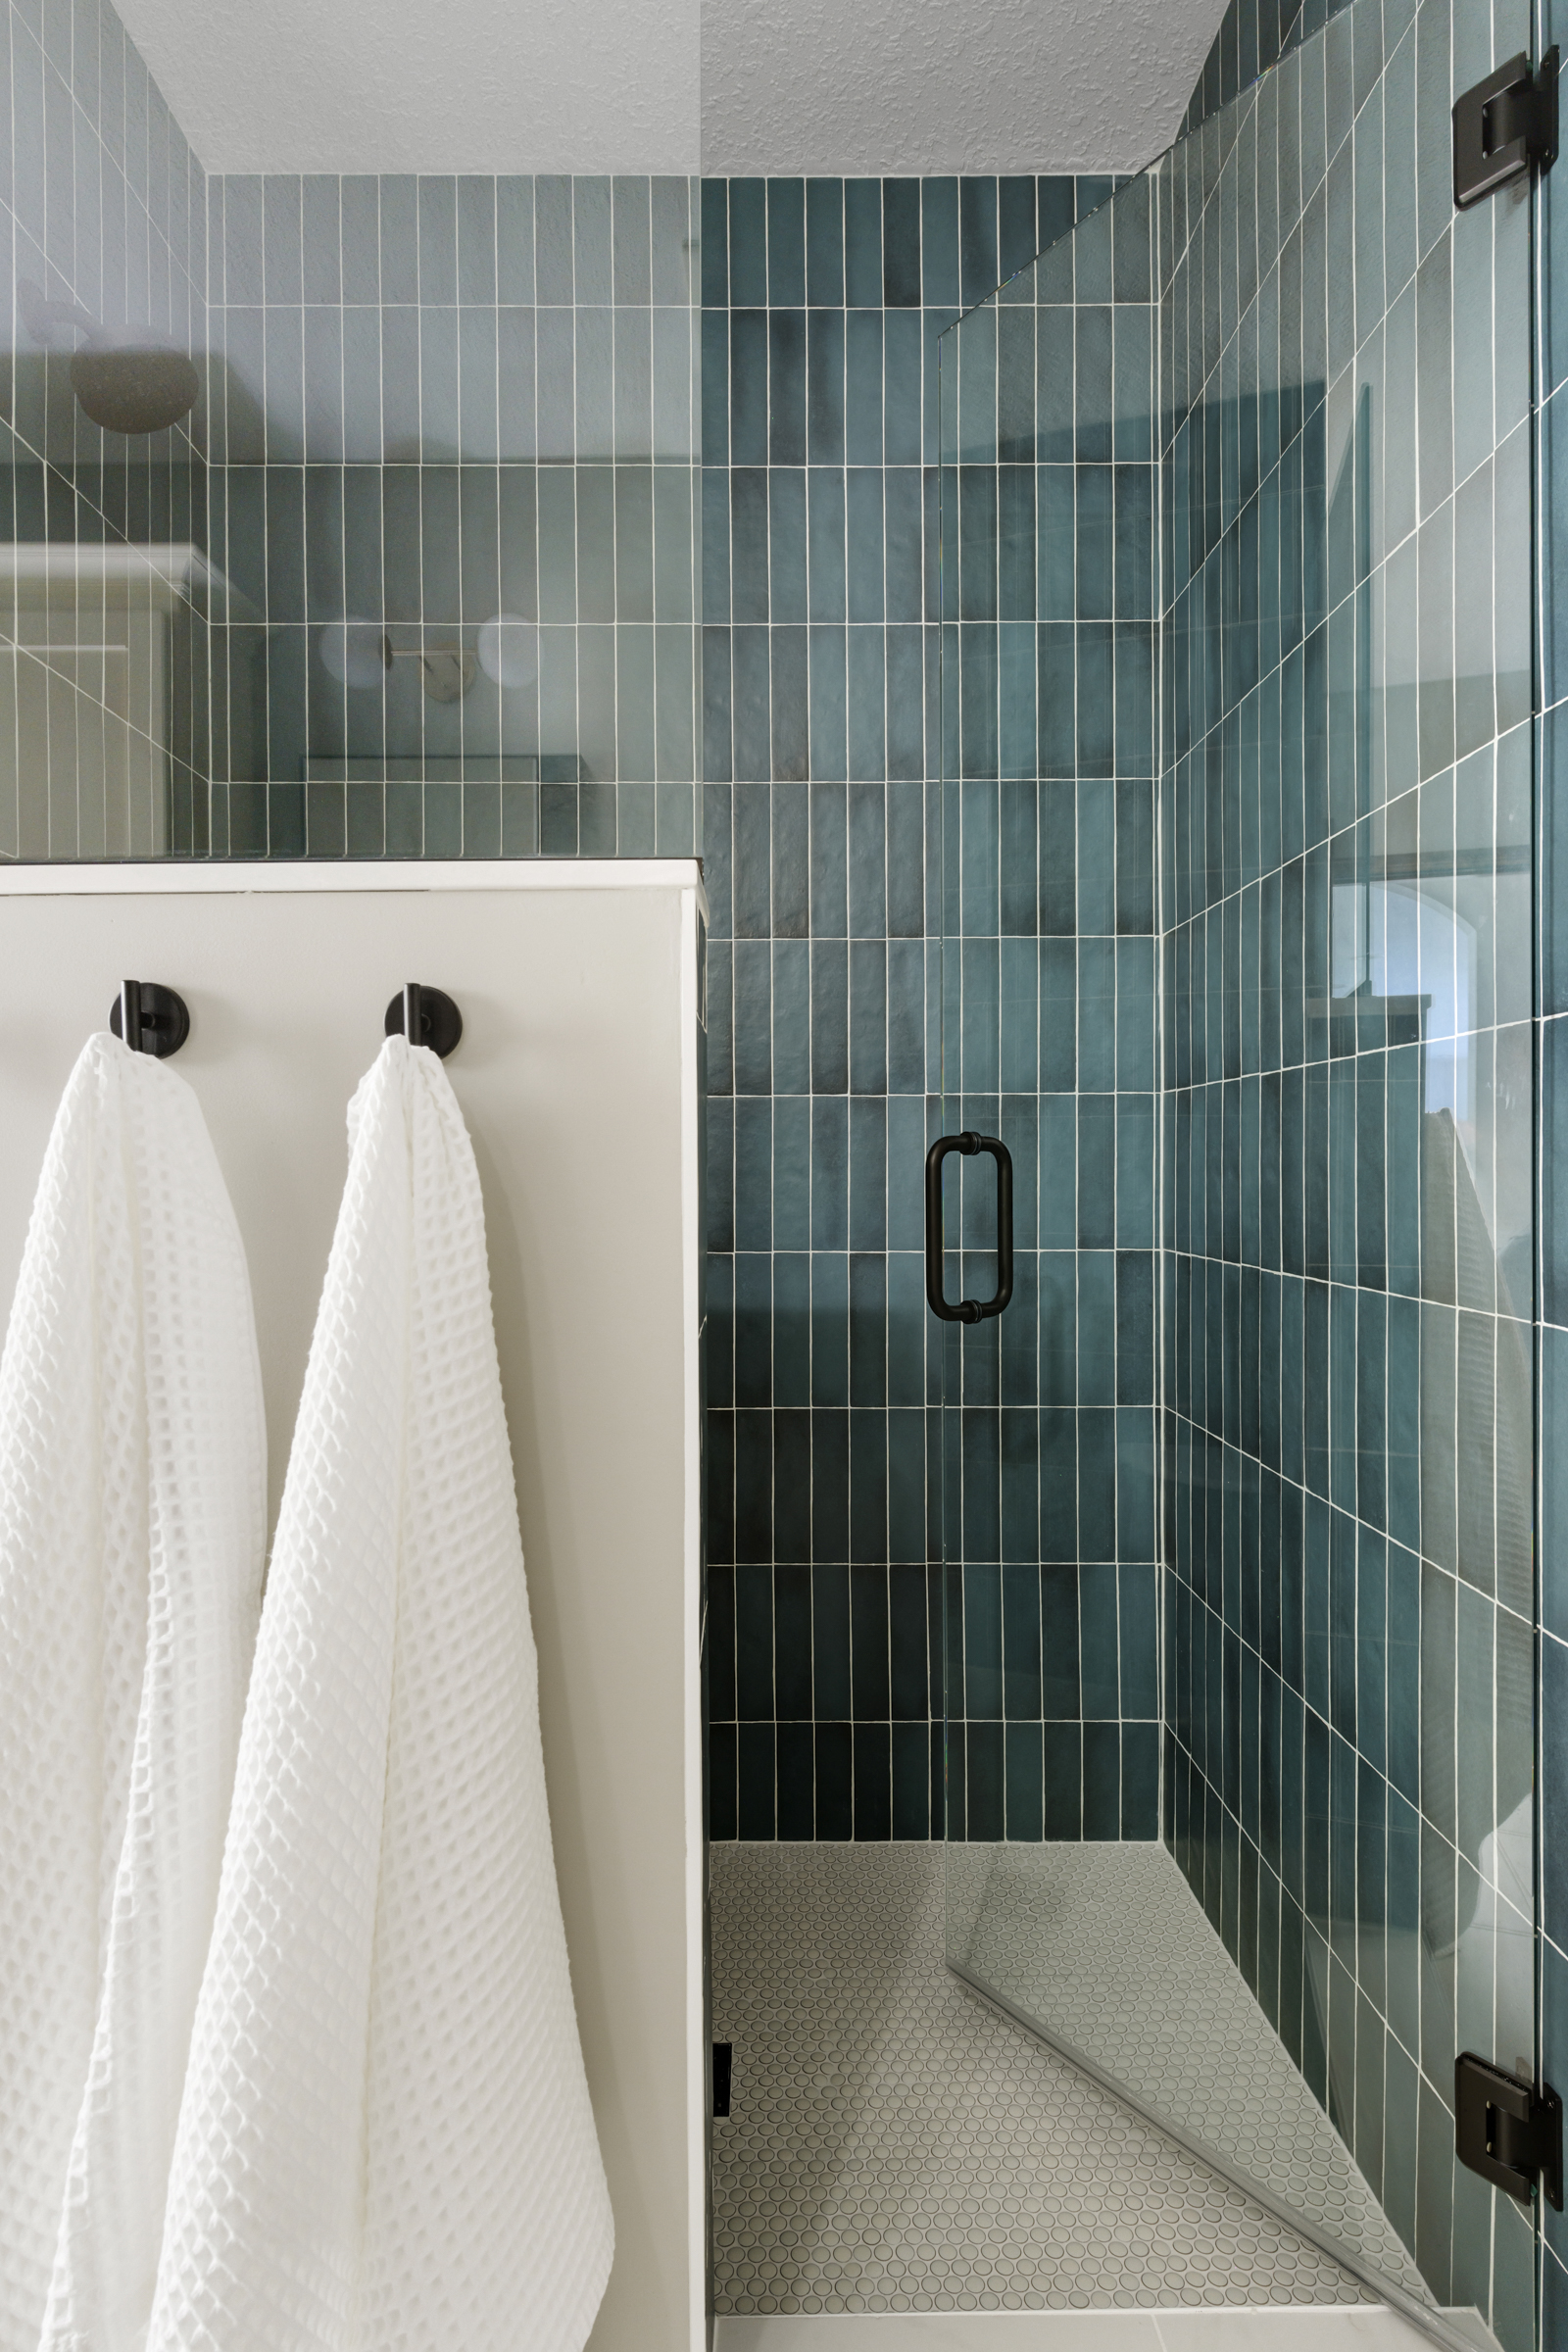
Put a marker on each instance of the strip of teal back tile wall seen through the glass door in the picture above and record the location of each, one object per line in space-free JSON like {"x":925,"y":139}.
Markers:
{"x":1050,"y":1024}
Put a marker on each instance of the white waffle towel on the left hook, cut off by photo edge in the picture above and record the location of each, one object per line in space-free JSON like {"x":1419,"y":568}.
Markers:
{"x":133,"y":1530}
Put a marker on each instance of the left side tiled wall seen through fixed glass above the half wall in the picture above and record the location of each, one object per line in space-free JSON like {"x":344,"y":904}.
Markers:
{"x":102,"y":573}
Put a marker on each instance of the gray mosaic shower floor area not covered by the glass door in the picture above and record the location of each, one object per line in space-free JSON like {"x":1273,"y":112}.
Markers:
{"x":899,"y":2146}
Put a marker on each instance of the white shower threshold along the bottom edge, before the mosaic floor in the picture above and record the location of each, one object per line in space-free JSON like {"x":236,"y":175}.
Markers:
{"x":1367,"y":2327}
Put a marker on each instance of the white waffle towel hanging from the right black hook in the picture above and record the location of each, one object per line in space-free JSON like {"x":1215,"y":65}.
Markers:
{"x":387,"y":2134}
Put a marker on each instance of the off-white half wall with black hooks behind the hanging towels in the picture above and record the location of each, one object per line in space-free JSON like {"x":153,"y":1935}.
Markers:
{"x":577,"y":1076}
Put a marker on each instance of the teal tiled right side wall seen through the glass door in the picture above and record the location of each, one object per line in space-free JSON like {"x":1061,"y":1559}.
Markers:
{"x":1348,"y":1121}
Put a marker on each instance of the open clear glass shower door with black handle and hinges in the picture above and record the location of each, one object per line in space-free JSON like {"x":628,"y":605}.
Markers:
{"x":1238,"y":900}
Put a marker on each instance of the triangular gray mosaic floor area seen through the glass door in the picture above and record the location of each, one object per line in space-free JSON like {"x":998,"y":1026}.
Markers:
{"x":1108,"y":1949}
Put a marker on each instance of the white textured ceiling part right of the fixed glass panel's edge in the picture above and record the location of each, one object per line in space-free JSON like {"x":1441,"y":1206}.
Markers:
{"x":949,"y":86}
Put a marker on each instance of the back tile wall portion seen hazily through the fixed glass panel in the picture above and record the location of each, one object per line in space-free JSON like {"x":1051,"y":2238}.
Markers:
{"x":453,"y":493}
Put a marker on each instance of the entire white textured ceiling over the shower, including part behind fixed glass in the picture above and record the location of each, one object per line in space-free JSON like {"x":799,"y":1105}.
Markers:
{"x":612,"y":86}
